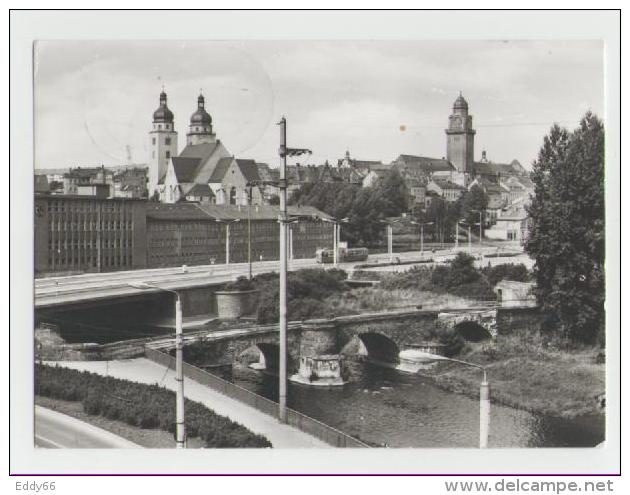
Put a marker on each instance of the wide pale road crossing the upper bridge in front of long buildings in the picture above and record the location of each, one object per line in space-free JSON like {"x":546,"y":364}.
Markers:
{"x":73,"y":289}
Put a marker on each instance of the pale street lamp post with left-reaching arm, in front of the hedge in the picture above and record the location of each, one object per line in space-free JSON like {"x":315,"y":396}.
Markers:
{"x":180,"y":425}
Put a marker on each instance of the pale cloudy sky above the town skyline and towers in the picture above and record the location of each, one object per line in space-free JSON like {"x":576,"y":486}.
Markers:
{"x":94,"y":100}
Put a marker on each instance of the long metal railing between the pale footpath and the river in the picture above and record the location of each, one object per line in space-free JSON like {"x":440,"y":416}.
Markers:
{"x":296,"y":419}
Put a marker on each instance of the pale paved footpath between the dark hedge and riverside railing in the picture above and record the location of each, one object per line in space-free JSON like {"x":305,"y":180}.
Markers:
{"x":144,"y":371}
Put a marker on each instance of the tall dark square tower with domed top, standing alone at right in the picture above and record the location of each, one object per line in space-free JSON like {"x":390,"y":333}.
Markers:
{"x":460,"y":137}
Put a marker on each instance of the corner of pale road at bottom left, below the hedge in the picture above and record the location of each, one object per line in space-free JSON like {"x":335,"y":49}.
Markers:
{"x":54,"y":430}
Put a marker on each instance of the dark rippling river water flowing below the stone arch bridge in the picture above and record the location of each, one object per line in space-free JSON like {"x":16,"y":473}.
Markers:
{"x":385,"y":407}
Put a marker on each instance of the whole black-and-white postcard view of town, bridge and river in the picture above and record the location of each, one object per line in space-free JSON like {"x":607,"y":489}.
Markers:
{"x":314,"y":244}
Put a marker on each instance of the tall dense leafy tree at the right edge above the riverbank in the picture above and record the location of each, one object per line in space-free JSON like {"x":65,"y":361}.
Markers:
{"x":567,"y":234}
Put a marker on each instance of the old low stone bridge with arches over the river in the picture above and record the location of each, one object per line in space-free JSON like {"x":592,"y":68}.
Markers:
{"x":383,"y":335}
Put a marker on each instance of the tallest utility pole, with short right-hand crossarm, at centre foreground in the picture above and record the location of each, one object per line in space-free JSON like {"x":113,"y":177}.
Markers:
{"x":284,"y":151}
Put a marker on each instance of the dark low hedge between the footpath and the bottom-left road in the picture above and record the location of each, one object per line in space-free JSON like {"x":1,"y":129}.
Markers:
{"x":141,"y":405}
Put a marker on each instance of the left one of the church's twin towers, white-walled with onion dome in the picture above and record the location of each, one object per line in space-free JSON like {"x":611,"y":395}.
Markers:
{"x":163,"y":143}
